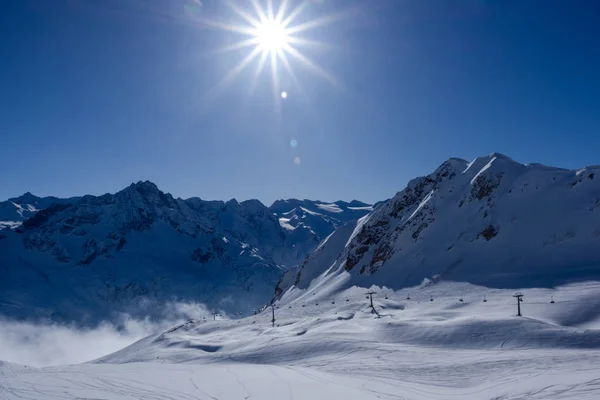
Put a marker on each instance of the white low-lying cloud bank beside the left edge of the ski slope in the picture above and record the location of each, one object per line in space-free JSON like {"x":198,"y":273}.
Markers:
{"x":44,"y":344}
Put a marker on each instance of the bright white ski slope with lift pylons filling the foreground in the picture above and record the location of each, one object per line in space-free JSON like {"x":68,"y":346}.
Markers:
{"x":334,"y":346}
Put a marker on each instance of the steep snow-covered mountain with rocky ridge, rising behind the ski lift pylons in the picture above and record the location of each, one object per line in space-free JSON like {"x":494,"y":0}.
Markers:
{"x":492,"y":222}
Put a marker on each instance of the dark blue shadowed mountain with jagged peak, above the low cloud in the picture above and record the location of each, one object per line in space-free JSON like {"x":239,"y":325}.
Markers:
{"x":138,"y":251}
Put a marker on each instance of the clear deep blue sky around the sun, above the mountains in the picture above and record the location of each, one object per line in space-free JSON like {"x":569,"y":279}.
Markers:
{"x":97,"y":94}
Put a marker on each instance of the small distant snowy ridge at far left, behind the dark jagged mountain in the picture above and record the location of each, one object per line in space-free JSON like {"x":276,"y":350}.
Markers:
{"x":18,"y":209}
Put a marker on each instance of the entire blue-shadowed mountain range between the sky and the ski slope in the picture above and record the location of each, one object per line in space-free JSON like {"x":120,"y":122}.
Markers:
{"x":491,"y":222}
